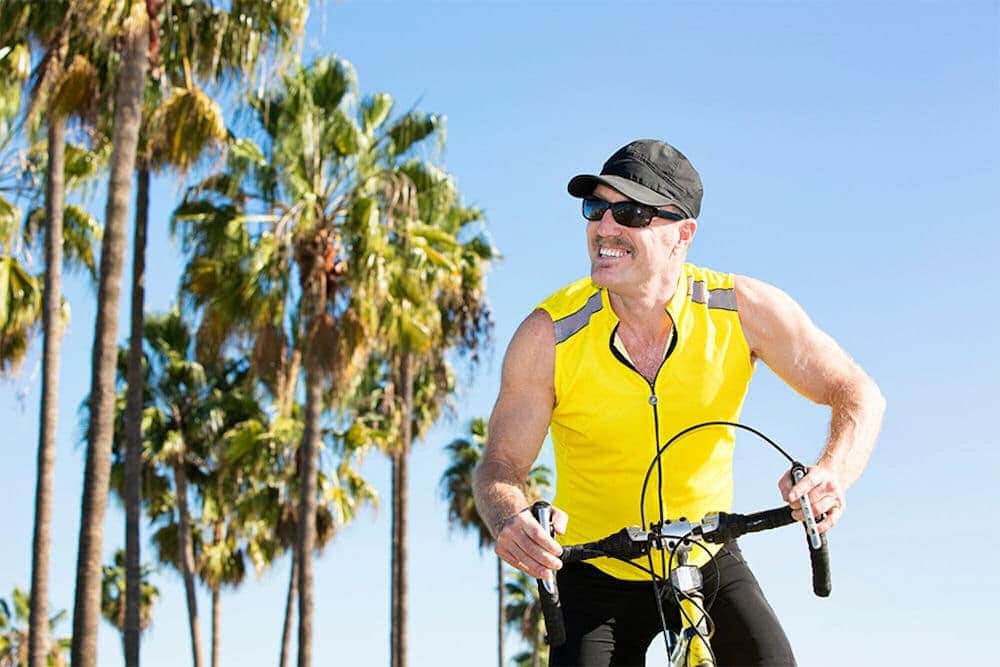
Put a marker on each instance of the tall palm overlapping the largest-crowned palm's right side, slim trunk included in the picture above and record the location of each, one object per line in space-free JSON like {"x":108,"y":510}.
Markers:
{"x":436,"y":305}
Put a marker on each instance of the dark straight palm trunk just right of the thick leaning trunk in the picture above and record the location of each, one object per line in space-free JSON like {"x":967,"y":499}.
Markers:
{"x":133,"y":426}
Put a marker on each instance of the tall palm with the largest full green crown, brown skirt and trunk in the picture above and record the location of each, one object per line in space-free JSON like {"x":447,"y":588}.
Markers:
{"x":323,"y":227}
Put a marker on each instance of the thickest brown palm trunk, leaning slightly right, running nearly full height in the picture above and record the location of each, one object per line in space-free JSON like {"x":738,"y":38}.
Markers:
{"x":128,"y":115}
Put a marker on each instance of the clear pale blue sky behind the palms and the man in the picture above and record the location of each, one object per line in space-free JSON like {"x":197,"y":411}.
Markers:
{"x":849,"y":155}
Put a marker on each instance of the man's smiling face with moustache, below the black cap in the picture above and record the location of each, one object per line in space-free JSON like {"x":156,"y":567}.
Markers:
{"x":625,"y":258}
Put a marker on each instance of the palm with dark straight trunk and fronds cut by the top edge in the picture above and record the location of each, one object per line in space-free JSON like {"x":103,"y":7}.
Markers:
{"x":196,"y":40}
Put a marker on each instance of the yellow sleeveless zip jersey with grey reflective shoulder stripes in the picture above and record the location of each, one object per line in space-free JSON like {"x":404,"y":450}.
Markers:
{"x":608,"y":420}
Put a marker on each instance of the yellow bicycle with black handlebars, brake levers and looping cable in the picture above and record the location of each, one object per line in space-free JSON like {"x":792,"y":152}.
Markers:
{"x":691,"y":646}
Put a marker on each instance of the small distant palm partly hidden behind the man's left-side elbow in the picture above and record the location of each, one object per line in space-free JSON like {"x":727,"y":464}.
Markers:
{"x":456,"y":483}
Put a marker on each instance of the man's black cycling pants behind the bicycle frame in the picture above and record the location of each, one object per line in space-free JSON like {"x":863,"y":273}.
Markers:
{"x":612,"y":622}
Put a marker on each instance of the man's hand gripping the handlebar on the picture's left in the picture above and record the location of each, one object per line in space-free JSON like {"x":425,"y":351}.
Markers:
{"x":522,"y":543}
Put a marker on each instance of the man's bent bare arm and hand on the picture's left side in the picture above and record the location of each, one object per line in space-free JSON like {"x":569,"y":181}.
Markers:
{"x":518,"y":425}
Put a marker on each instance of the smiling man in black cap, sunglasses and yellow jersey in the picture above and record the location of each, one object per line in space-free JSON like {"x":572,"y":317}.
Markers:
{"x":617,"y":363}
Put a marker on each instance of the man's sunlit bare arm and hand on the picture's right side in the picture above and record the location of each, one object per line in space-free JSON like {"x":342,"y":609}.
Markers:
{"x":810,"y":361}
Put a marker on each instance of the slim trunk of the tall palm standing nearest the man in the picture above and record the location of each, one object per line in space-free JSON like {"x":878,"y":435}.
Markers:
{"x":401,"y":476}
